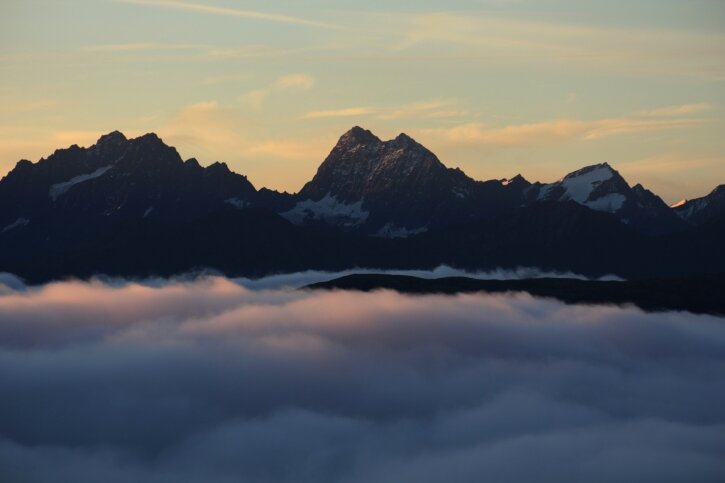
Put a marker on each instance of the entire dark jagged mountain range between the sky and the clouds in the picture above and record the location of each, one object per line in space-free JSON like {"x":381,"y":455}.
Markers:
{"x":134,"y":207}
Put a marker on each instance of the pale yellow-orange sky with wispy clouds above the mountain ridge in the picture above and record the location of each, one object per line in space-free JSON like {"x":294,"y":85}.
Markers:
{"x":495,"y":87}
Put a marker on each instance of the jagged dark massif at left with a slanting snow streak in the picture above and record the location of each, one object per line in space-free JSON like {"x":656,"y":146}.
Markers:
{"x":117,"y":178}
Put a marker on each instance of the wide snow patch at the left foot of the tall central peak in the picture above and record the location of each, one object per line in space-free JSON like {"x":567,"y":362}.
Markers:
{"x":328,"y":209}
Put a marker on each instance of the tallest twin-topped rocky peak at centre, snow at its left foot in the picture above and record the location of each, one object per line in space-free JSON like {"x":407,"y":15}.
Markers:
{"x":395,"y":187}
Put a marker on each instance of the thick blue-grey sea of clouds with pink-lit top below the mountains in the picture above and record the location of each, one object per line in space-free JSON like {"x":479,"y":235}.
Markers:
{"x":207,"y":380}
